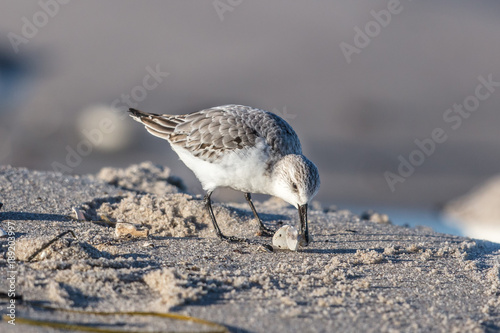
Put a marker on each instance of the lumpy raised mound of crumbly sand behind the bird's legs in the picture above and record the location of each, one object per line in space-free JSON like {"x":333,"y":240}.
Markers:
{"x":155,"y":201}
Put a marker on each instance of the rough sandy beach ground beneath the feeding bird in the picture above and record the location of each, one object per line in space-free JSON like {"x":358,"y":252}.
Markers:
{"x":356,"y":276}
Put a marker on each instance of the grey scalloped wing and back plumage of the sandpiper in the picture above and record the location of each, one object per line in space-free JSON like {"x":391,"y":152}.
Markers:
{"x":209,"y":133}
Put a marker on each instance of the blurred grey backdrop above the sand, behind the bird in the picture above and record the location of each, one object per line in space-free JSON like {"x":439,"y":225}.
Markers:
{"x":358,"y":81}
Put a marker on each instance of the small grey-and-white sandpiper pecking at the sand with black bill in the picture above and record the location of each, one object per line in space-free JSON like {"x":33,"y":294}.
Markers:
{"x":243,"y":148}
